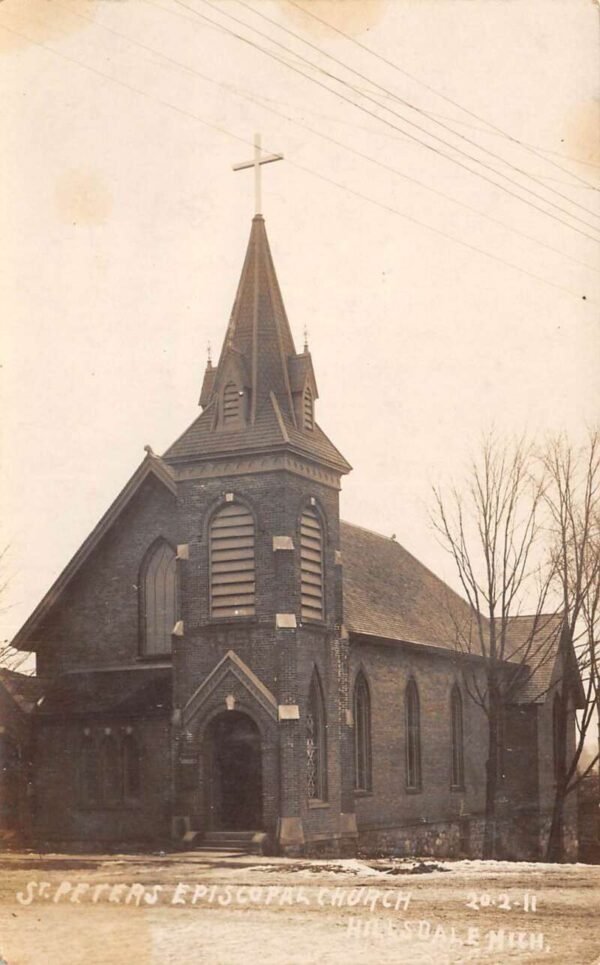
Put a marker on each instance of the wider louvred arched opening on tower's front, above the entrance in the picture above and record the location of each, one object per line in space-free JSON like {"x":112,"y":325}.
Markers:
{"x":232,"y":577}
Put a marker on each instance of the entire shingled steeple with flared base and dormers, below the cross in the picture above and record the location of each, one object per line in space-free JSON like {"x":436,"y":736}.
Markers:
{"x":261,"y":394}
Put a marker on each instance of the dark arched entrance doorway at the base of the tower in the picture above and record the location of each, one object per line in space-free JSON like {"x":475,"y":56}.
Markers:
{"x":232,"y":754}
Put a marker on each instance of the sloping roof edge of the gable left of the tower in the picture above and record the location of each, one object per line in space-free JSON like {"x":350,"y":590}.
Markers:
{"x":151,"y":466}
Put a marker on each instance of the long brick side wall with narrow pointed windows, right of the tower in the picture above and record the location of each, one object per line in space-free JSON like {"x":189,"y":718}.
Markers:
{"x":437,"y":819}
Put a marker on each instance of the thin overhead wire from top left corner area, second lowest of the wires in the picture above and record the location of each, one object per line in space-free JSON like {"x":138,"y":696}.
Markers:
{"x":245,"y":96}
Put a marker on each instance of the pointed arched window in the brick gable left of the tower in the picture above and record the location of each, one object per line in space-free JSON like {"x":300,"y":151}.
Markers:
{"x":159,"y":599}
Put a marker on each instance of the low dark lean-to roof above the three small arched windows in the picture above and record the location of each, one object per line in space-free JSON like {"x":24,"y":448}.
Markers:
{"x":119,"y":692}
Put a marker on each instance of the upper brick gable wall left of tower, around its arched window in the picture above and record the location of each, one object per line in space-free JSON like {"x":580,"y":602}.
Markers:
{"x":95,"y":622}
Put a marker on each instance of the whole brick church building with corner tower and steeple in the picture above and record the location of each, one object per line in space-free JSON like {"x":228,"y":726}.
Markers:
{"x":225,"y":662}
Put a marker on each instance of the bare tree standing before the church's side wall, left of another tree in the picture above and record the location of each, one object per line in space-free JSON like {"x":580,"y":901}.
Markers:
{"x":491,"y":528}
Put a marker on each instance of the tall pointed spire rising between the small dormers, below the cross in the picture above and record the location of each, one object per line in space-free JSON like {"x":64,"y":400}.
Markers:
{"x":258,"y":336}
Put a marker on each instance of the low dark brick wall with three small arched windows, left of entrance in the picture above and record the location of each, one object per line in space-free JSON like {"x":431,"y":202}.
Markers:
{"x":60,"y":811}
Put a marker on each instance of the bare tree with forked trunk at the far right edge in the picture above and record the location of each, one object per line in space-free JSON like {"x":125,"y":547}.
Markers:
{"x":573,"y":500}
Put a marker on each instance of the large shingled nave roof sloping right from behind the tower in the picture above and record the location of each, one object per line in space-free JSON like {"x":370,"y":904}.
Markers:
{"x":388,"y":593}
